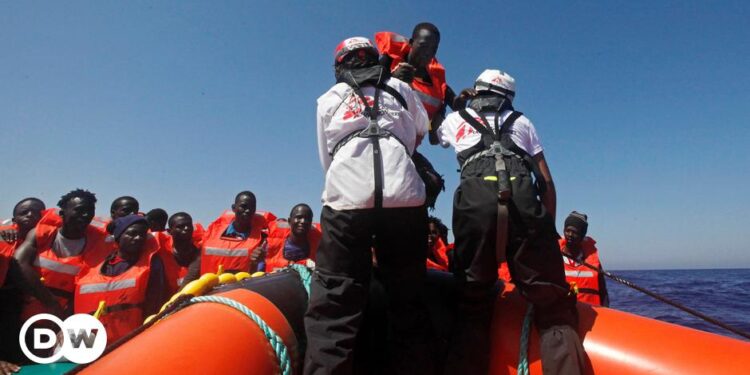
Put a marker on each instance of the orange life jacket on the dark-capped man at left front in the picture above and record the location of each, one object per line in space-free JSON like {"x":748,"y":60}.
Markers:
{"x":124,"y":294}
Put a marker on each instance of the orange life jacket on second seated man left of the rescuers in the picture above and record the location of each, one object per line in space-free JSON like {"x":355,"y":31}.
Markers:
{"x":232,"y":253}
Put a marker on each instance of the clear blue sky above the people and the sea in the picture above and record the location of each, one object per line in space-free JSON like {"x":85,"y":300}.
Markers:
{"x":642,"y":107}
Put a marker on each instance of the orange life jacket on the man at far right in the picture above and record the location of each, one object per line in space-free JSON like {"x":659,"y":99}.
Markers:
{"x":586,"y":280}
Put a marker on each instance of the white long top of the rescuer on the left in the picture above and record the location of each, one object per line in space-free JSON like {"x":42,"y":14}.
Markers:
{"x":350,"y":177}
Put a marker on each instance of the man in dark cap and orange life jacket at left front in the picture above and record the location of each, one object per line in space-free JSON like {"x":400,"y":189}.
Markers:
{"x":130,"y":281}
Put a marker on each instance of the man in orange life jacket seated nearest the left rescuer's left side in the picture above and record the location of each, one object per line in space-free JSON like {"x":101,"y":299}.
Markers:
{"x":293,"y":240}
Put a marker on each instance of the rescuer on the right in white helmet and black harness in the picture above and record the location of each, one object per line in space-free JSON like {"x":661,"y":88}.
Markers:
{"x":500,"y":212}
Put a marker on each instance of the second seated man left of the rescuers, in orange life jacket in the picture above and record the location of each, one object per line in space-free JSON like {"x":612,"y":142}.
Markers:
{"x":236,"y":240}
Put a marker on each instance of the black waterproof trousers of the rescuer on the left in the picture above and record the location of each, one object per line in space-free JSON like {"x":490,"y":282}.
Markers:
{"x":340,"y":285}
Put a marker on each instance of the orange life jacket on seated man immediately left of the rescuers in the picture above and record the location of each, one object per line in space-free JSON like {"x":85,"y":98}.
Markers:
{"x":278,"y":231}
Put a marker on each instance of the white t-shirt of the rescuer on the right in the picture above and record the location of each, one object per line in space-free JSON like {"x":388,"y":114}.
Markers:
{"x":456,"y":132}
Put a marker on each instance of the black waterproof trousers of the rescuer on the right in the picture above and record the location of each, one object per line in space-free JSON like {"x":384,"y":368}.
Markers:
{"x":534,"y":262}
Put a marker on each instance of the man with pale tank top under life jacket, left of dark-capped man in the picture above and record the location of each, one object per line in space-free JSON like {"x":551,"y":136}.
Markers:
{"x":57,"y":250}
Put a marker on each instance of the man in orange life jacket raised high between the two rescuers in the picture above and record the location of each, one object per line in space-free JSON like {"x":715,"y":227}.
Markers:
{"x":413,"y":61}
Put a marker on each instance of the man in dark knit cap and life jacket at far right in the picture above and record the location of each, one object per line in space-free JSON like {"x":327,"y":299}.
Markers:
{"x":579,"y":252}
